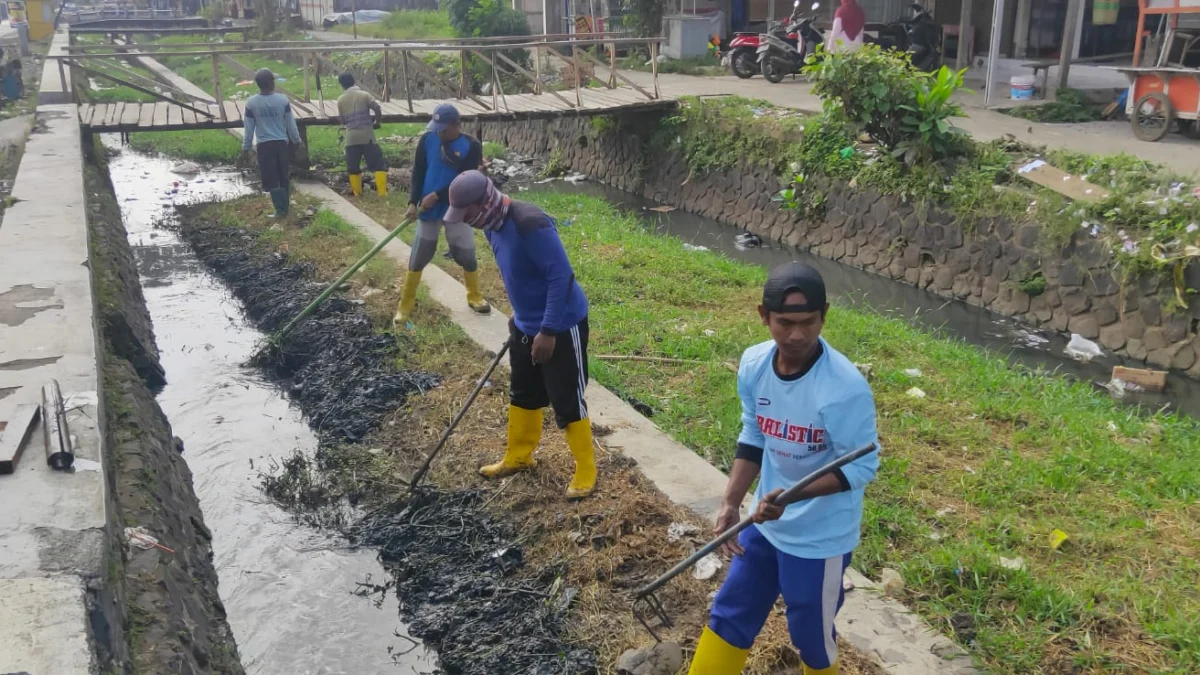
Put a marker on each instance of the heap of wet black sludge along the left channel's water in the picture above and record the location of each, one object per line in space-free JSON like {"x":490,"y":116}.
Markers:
{"x":458,"y":571}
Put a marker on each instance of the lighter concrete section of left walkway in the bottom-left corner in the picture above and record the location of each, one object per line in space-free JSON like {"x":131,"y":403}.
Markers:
{"x":40,"y":622}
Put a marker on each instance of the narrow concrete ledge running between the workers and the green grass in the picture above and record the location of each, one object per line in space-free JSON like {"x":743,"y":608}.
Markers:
{"x":880,"y":628}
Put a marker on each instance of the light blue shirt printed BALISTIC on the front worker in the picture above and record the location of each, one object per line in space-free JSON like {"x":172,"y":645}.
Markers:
{"x":803,"y":425}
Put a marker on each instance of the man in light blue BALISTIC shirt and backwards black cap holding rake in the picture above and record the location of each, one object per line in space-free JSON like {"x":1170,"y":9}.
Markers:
{"x":803,"y":405}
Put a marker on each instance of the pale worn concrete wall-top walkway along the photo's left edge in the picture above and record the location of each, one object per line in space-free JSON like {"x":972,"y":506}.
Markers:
{"x":52,"y":524}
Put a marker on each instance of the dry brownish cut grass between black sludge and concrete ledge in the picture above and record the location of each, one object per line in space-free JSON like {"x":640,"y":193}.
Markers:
{"x":622,"y":530}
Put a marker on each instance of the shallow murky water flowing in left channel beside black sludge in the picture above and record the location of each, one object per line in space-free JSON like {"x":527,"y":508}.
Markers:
{"x":290,"y":592}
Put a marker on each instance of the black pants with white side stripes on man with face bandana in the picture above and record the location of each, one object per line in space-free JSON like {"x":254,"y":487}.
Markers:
{"x":559,"y":384}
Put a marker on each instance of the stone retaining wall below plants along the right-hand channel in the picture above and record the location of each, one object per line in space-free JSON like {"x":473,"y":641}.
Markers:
{"x":925,"y":247}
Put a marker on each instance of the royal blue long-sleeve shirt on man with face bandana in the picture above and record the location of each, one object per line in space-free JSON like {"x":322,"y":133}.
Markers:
{"x":538,"y":277}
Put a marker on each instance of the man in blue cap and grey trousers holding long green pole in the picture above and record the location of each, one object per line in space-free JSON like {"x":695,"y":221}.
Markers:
{"x":443,"y":153}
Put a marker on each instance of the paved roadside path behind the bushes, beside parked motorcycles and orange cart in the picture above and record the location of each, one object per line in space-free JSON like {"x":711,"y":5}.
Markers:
{"x":1177,"y":152}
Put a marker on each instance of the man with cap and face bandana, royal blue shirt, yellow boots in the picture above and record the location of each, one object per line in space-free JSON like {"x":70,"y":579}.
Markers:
{"x":549,"y":332}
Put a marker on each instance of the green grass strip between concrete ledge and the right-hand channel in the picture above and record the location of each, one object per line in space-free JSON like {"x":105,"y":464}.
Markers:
{"x":987,"y":467}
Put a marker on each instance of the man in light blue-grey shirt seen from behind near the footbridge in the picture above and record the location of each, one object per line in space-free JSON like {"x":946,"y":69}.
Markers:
{"x":269,"y":117}
